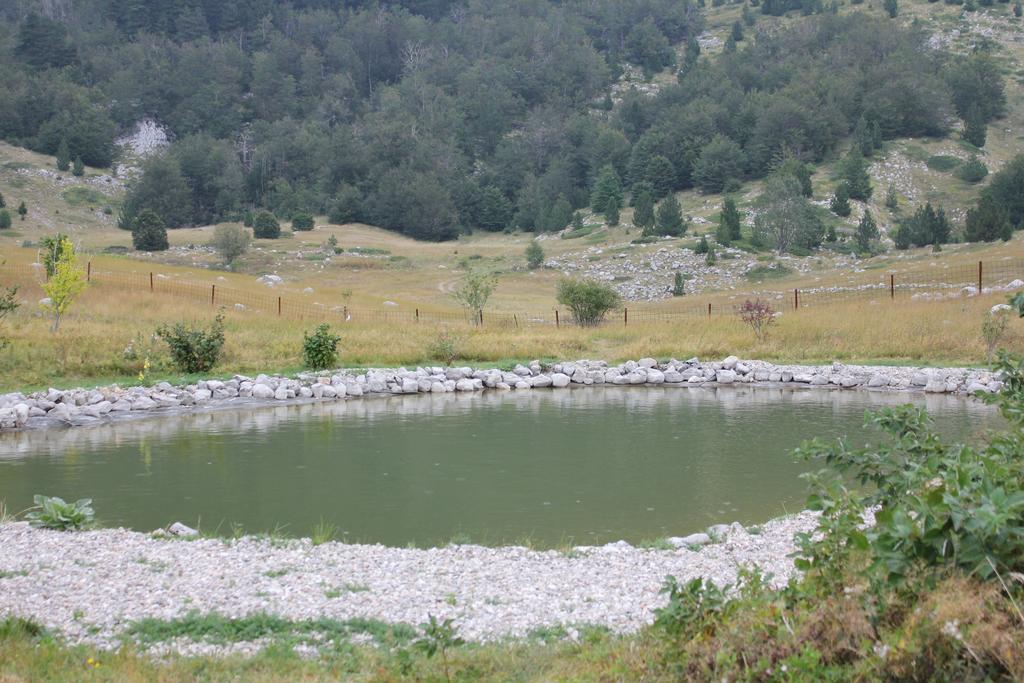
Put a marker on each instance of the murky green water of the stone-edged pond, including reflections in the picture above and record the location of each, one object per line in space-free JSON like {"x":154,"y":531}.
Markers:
{"x":581,"y":466}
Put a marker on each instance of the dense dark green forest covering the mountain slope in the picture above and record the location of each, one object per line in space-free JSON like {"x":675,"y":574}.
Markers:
{"x":435,"y":117}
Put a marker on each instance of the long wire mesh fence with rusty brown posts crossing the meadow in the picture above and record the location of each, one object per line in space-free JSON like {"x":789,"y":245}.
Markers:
{"x":930,"y":284}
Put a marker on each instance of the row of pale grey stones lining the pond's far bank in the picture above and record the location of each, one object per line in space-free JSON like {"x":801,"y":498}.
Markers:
{"x":87,"y":407}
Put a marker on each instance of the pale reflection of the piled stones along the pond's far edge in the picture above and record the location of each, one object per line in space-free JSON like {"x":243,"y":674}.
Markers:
{"x":265,"y":419}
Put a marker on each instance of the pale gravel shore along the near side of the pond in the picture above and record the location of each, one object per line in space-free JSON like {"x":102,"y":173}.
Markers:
{"x":92,"y":586}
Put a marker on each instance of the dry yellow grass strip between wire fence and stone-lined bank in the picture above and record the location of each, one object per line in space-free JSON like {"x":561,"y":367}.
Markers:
{"x":91,"y":347}
